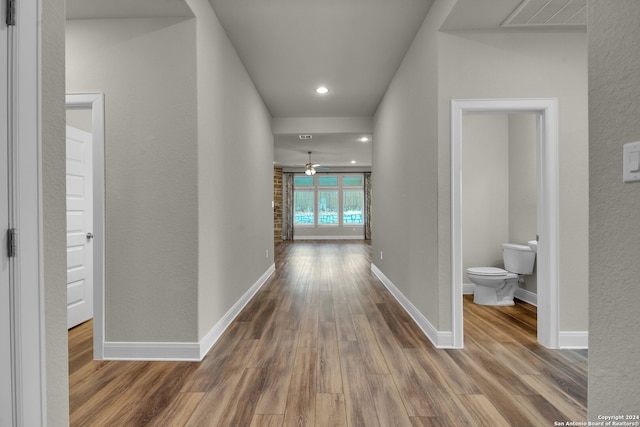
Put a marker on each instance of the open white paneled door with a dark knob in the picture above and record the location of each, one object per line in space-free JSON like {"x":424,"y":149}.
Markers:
{"x":79,"y":227}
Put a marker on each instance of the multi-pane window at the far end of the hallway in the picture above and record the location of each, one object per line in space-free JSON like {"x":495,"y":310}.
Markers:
{"x":329,"y":201}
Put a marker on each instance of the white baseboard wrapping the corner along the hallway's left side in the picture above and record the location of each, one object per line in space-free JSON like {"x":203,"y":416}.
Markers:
{"x":183,"y":351}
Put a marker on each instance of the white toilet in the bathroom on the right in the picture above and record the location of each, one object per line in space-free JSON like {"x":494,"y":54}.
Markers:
{"x":495,"y":286}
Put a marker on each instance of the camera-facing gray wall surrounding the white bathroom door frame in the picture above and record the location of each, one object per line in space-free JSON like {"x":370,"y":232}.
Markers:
{"x":530,"y":65}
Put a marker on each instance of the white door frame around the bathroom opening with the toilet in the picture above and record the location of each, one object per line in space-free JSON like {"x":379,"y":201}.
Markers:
{"x":546,"y":111}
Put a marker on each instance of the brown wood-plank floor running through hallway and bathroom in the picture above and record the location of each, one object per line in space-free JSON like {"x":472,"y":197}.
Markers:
{"x":324,"y":343}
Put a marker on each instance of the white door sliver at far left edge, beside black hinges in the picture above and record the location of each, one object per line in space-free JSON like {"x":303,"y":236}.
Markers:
{"x":6,"y":399}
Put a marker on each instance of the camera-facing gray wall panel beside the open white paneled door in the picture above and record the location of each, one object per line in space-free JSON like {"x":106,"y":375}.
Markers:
{"x":147,"y":70}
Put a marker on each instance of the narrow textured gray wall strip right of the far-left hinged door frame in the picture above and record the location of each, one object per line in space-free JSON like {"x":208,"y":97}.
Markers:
{"x":54,"y":213}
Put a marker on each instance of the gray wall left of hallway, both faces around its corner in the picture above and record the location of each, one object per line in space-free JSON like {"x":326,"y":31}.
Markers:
{"x":187,"y":232}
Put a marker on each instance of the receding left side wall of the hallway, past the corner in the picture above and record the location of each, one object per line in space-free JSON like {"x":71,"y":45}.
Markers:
{"x":235,"y":180}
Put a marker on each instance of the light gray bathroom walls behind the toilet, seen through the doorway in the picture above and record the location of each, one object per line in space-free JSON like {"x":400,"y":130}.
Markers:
{"x":499,"y":192}
